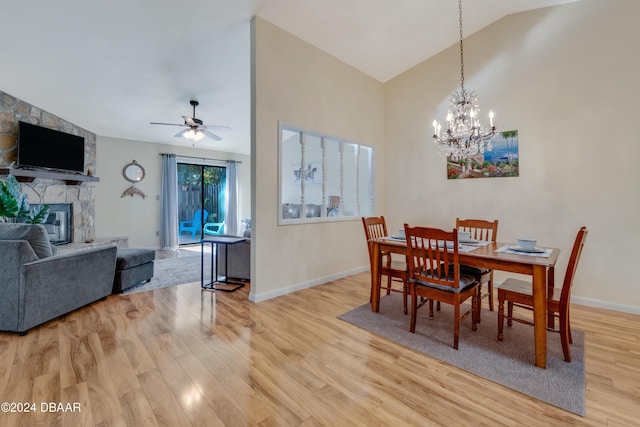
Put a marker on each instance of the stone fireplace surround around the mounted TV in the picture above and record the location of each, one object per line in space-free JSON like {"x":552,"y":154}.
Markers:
{"x":51,"y":189}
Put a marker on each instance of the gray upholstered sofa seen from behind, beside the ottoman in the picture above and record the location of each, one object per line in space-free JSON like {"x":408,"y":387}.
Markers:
{"x":37,"y":286}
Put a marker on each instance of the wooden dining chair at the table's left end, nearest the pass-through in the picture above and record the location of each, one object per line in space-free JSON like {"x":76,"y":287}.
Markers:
{"x":395,"y":270}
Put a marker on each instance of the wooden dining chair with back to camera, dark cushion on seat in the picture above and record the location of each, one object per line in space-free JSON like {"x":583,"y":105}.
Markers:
{"x":434,"y":274}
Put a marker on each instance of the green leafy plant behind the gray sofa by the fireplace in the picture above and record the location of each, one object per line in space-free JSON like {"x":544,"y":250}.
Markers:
{"x":14,"y":204}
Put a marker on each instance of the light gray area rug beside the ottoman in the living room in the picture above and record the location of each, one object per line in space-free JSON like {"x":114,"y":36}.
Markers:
{"x":174,"y":271}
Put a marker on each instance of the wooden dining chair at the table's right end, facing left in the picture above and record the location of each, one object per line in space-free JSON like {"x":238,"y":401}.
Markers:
{"x":519,"y":293}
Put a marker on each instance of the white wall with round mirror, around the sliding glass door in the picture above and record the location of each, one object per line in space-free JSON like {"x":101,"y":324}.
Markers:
{"x":139,"y":218}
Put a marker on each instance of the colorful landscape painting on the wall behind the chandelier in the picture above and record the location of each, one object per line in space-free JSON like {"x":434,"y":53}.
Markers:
{"x":501,"y":161}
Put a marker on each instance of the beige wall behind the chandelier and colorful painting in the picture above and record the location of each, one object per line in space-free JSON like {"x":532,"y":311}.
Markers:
{"x":566,"y":78}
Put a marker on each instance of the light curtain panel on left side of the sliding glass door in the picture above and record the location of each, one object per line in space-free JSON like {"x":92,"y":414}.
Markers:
{"x":169,"y":203}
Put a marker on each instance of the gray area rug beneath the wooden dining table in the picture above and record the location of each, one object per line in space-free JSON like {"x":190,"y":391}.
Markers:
{"x":510,"y":363}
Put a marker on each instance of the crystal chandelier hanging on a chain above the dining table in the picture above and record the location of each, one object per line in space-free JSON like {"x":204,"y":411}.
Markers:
{"x":464,"y":136}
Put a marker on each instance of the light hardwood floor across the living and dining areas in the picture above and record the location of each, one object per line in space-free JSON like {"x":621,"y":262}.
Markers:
{"x":182,"y":357}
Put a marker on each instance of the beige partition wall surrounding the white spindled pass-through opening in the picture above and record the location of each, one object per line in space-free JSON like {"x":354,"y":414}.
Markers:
{"x":304,"y":87}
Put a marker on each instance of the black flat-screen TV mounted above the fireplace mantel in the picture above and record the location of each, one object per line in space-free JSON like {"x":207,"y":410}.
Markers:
{"x":48,"y":148}
